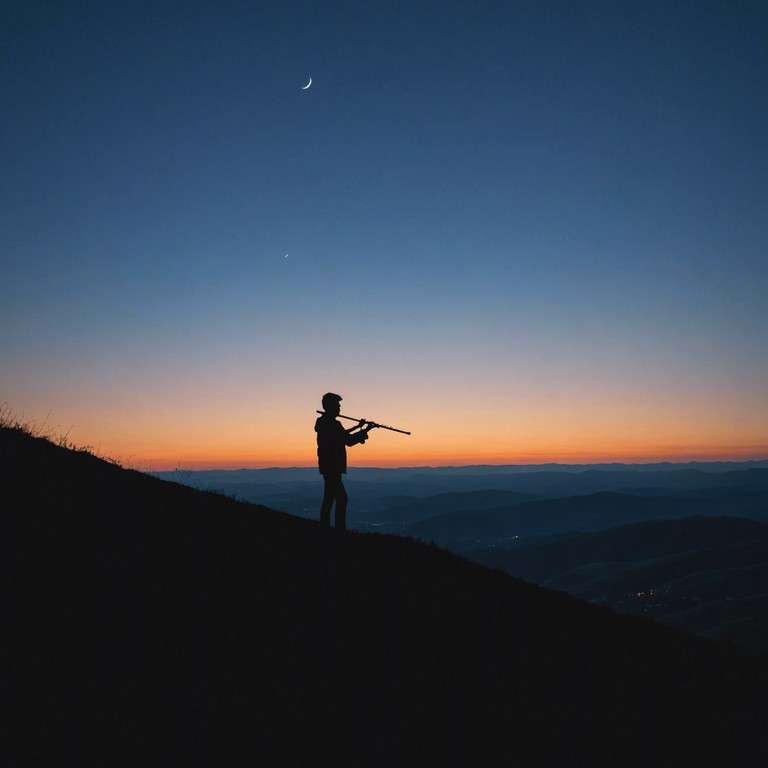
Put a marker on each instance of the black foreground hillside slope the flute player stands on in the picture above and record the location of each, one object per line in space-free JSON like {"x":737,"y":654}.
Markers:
{"x":152,"y":624}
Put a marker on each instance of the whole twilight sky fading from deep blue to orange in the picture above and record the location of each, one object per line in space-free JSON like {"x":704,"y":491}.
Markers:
{"x":526,"y":231}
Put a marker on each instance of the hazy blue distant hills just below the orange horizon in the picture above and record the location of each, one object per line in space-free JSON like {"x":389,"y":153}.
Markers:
{"x":376,"y":494}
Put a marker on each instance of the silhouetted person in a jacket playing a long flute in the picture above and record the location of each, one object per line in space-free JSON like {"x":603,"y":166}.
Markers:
{"x":332,"y":442}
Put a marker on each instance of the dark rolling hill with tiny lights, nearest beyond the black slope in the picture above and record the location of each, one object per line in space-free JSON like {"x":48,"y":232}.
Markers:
{"x":706,"y":575}
